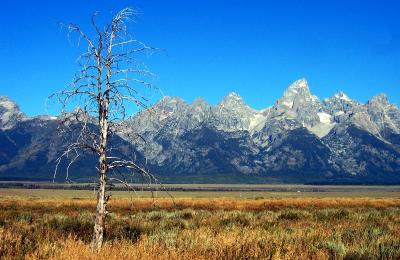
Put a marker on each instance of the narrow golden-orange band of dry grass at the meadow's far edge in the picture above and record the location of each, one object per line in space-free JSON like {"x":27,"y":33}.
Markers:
{"x":127,"y":204}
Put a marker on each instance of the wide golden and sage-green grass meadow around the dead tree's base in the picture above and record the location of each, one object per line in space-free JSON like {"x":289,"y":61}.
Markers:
{"x":57,"y":224}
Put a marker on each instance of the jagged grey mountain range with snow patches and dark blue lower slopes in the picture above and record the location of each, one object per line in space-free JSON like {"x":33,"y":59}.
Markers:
{"x":299,"y":139}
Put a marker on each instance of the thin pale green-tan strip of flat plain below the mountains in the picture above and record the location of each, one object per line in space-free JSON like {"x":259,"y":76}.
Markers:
{"x":207,"y":191}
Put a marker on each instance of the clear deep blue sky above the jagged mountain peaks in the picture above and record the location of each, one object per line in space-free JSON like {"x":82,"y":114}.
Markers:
{"x":256,"y":48}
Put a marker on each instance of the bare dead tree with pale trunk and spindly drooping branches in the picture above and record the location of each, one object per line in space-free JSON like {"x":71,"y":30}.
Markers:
{"x":110,"y":85}
